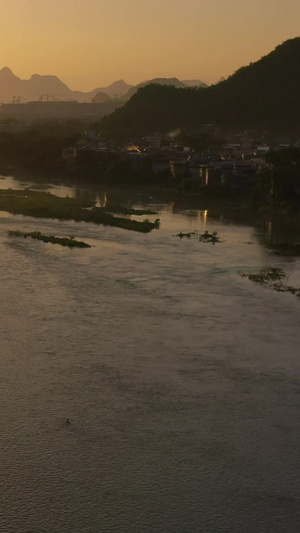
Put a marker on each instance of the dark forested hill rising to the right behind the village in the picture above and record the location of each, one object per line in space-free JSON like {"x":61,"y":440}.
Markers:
{"x":265,"y":93}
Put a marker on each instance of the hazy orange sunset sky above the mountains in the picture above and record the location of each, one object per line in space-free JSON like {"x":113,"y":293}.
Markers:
{"x":90,"y":43}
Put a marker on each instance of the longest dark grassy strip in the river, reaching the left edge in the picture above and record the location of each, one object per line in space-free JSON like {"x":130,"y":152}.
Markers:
{"x":45,"y":205}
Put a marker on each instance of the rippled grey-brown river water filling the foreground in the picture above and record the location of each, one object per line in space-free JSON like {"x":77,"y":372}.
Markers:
{"x":180,"y":379}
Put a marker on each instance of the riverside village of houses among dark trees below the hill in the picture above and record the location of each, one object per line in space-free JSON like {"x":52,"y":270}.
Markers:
{"x":232,"y":163}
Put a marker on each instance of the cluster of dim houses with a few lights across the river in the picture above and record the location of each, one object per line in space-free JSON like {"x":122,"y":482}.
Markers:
{"x":233,"y":164}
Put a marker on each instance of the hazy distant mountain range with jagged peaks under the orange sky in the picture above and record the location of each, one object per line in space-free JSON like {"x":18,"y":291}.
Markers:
{"x":48,"y":88}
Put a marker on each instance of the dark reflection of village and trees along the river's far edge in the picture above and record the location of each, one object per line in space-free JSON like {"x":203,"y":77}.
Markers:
{"x":269,"y":229}
